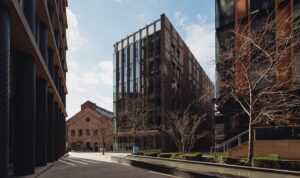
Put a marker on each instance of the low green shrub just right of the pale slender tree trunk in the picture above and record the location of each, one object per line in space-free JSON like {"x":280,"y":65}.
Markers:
{"x":269,"y":161}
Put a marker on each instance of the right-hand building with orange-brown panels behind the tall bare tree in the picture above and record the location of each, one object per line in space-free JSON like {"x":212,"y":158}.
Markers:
{"x":233,"y":15}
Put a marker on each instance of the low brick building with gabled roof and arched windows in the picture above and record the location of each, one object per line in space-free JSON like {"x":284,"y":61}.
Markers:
{"x":87,"y":128}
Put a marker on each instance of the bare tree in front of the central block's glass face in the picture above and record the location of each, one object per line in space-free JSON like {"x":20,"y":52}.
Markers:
{"x":134,"y":115}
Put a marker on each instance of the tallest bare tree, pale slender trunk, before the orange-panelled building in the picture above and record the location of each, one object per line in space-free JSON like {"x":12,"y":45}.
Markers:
{"x":256,"y":73}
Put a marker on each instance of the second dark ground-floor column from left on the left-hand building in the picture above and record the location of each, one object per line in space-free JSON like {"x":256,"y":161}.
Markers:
{"x":25,"y":103}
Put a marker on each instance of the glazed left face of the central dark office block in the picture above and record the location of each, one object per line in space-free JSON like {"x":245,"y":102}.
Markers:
{"x":130,"y":60}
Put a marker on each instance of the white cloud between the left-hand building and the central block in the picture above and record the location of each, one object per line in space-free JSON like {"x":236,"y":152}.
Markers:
{"x":85,"y":80}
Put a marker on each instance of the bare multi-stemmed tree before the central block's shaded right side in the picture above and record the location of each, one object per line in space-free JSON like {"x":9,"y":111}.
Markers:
{"x":186,"y":127}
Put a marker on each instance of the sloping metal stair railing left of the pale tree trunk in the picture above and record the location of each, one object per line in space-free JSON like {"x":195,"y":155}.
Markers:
{"x":231,"y":143}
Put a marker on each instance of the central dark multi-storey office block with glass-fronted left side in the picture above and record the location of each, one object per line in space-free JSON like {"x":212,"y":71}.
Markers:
{"x":155,"y":63}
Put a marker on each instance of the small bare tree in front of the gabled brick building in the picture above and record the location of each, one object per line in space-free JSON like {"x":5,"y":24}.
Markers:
{"x":102,"y":130}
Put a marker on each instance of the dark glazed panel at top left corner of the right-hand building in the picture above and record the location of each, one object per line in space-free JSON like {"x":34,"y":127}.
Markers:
{"x":224,"y":12}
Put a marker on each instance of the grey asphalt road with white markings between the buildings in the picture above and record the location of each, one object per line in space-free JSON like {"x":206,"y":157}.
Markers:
{"x":71,"y":167}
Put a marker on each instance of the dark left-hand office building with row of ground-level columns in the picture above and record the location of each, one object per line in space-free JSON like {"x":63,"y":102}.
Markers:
{"x":32,"y":84}
